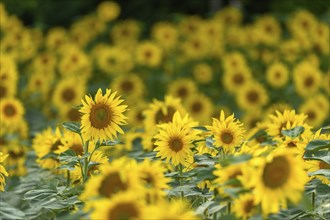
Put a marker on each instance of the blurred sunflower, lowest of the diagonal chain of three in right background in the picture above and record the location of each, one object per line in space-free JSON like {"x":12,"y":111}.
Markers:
{"x":252,"y":96}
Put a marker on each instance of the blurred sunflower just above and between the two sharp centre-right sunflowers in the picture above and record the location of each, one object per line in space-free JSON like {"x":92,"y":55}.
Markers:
{"x":200,"y":107}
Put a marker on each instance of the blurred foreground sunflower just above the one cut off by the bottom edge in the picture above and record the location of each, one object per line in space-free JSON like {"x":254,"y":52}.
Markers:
{"x":119,"y":176}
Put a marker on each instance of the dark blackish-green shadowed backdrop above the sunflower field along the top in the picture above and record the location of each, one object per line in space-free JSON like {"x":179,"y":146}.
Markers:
{"x":49,"y":13}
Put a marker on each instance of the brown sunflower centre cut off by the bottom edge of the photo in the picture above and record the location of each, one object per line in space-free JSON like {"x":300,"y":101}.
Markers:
{"x":124,"y":211}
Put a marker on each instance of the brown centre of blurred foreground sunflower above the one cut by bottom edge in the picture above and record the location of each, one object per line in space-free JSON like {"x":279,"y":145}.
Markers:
{"x":112,"y":184}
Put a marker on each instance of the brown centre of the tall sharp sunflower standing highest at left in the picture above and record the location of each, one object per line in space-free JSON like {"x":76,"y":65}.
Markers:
{"x":100,"y":116}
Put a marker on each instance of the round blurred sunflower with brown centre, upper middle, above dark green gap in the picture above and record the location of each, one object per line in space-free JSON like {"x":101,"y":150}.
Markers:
{"x":148,"y":54}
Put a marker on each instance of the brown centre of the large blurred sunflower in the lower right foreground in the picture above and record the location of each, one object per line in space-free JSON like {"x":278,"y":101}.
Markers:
{"x":276,"y":173}
